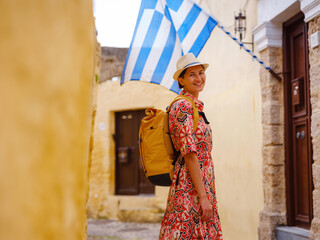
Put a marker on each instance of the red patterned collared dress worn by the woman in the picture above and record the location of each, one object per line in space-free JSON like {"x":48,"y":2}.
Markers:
{"x":182,"y":219}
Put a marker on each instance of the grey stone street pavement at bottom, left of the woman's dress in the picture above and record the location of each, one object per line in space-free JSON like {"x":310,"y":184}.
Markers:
{"x":104,"y":229}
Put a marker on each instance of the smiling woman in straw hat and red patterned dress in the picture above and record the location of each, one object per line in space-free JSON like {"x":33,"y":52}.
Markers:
{"x":191,"y":211}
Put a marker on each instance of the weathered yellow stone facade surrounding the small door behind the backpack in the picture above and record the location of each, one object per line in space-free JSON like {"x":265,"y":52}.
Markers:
{"x":111,"y":99}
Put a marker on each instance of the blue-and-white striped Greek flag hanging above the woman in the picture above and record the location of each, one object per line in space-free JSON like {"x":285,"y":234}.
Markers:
{"x":165,"y":30}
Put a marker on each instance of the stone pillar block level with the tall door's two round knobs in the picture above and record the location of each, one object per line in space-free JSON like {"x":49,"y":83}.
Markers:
{"x":273,"y":135}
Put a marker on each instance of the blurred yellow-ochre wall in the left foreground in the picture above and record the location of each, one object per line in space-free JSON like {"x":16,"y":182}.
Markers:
{"x":46,"y":71}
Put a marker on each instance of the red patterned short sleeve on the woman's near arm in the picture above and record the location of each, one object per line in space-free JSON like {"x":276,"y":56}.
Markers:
{"x":181,"y":127}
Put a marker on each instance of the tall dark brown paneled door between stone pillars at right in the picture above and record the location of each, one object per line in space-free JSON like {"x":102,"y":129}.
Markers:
{"x":297,"y":115}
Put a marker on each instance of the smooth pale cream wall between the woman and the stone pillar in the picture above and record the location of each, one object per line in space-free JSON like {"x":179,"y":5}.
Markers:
{"x":233,"y":104}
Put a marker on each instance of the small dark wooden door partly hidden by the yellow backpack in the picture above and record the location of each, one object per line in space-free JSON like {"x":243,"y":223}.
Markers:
{"x":130,"y":179}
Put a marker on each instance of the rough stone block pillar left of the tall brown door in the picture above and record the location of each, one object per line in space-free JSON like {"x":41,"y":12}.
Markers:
{"x":274,"y":212}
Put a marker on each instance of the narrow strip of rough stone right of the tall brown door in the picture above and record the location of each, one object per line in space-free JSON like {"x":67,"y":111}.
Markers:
{"x":314,"y":60}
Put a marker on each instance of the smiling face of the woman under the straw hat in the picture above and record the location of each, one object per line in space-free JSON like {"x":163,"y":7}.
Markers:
{"x":194,"y":80}
